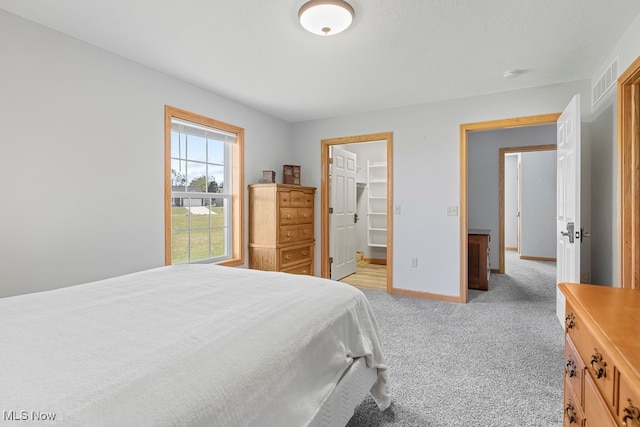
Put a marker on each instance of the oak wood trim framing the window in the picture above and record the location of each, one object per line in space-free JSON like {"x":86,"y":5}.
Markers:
{"x":237,"y":219}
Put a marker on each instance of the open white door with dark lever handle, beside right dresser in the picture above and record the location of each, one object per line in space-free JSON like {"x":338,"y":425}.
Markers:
{"x":568,"y":203}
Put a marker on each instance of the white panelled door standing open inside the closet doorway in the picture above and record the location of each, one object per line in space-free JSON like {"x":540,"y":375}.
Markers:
{"x":342,"y":245}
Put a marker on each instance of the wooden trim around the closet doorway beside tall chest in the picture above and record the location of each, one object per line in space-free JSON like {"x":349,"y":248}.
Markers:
{"x":325,"y":145}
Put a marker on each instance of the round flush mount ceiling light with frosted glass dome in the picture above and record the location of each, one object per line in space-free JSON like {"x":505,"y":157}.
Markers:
{"x":326,"y":17}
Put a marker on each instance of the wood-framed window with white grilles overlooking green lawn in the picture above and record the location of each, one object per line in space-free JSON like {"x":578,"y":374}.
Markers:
{"x":203,"y":189}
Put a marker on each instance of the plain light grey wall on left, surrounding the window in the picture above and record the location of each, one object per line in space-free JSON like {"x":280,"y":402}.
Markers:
{"x":83,"y":157}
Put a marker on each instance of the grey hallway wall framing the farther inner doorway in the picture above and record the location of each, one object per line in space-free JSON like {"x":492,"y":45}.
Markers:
{"x":483,"y":177}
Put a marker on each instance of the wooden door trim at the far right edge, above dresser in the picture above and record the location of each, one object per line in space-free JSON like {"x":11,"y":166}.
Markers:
{"x":629,"y":176}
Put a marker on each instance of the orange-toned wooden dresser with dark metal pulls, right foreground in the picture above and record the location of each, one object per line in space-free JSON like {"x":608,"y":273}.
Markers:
{"x":602,"y":353}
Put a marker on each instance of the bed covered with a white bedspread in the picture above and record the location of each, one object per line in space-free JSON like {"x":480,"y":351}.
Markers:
{"x":192,"y":345}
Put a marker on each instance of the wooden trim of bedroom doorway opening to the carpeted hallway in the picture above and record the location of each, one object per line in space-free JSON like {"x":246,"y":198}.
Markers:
{"x":464,"y":141}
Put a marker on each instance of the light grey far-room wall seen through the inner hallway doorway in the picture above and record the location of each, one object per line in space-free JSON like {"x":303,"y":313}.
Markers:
{"x":538,"y":204}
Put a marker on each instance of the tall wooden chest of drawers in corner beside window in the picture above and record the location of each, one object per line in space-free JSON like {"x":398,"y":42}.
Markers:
{"x":281,"y":228}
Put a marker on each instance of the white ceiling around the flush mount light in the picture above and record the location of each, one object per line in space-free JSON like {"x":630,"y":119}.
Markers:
{"x":396,"y":53}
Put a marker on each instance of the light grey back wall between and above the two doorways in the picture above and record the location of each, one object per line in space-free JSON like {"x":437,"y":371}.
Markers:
{"x":426,"y":172}
